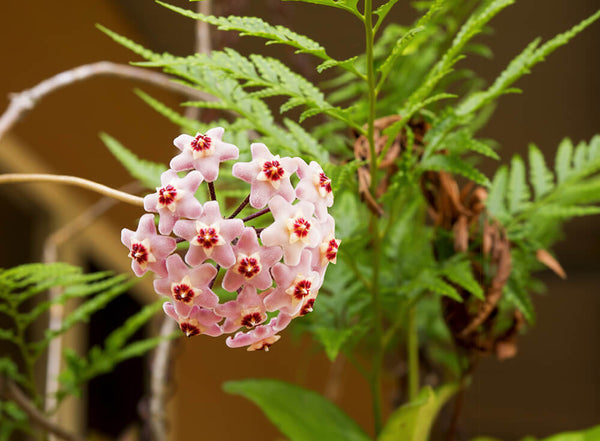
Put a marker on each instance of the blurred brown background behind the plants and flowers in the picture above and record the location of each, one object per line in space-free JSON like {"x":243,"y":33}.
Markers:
{"x":554,"y":383}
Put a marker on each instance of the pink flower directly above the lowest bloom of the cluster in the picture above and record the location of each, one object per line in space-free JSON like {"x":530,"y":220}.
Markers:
{"x":247,"y":310}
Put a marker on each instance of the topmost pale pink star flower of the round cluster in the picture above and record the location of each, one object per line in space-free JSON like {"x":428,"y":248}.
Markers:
{"x":203,"y":152}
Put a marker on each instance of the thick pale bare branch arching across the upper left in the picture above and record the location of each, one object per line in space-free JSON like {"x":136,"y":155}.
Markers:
{"x":24,"y":101}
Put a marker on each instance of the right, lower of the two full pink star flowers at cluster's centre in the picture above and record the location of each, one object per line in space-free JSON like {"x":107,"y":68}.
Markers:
{"x":253,"y":263}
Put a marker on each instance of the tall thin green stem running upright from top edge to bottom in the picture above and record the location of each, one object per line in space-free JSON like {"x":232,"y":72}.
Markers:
{"x":374,"y":225}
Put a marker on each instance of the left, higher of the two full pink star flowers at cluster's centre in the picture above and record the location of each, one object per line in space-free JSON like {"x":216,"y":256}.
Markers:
{"x":210,"y":236}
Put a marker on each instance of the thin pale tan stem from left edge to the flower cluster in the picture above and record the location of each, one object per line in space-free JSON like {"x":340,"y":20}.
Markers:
{"x":10,"y":178}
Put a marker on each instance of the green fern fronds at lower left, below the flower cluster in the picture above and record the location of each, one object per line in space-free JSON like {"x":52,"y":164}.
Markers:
{"x":94,"y":291}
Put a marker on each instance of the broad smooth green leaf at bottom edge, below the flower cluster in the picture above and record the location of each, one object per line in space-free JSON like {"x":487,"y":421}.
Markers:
{"x":300,"y":414}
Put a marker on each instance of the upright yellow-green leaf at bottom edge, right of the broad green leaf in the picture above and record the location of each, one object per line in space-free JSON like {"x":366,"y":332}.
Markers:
{"x":413,"y":421}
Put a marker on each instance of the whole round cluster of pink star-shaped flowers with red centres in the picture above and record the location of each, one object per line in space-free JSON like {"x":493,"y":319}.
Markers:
{"x":276,"y":278}
